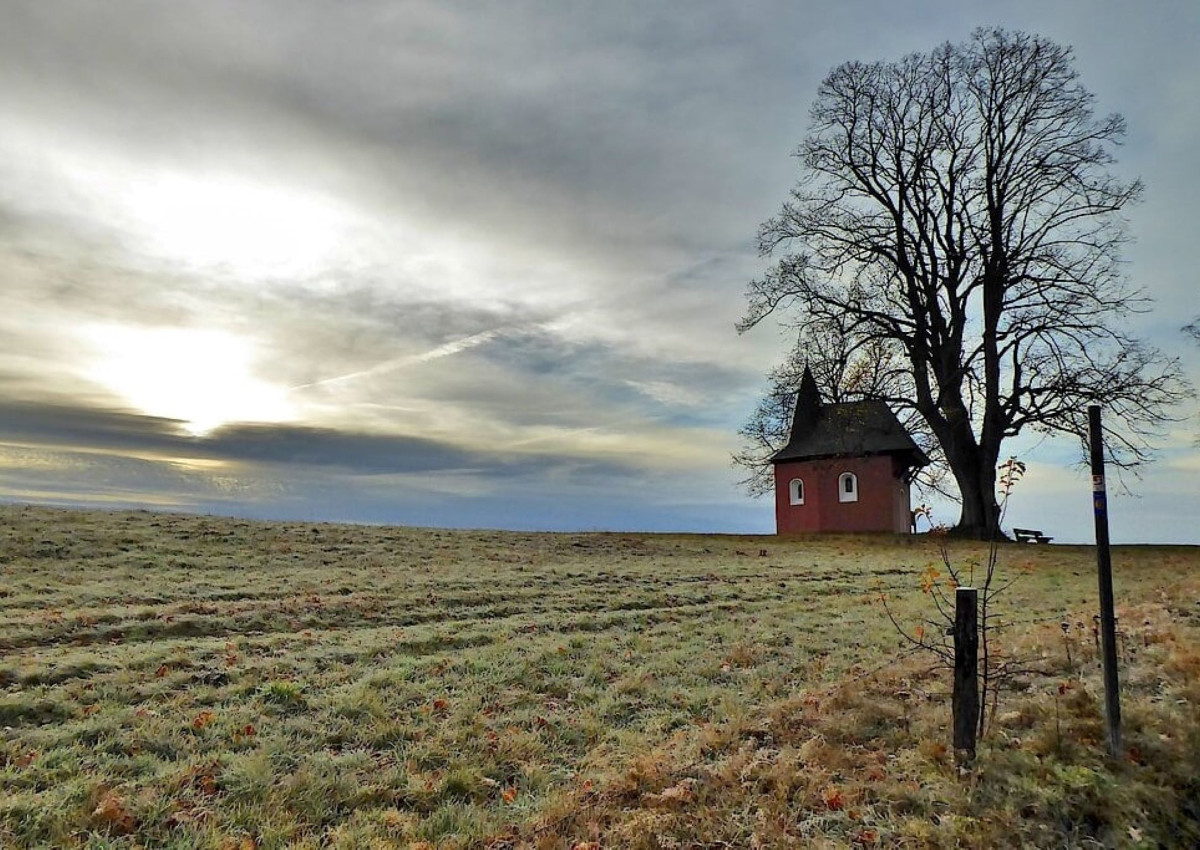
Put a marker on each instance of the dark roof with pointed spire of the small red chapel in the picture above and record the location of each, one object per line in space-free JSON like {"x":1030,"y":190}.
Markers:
{"x":853,"y":428}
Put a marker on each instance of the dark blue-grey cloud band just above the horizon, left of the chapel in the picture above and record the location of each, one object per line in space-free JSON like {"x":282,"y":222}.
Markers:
{"x":112,"y":459}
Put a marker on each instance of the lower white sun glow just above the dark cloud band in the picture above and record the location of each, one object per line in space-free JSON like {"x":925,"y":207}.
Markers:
{"x":205,"y":379}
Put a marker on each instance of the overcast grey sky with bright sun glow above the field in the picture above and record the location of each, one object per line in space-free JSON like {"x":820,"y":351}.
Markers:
{"x":472,"y":265}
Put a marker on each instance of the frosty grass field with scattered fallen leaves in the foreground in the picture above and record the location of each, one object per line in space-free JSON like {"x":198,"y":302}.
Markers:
{"x":200,"y":683}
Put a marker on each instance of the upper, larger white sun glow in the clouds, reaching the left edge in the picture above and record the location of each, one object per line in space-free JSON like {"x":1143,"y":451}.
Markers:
{"x":245,"y":222}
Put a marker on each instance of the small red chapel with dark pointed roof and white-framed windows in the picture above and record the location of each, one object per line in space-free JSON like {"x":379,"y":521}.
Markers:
{"x":847,"y":468}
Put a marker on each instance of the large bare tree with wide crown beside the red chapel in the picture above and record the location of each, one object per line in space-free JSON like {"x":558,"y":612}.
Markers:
{"x":957,"y":216}
